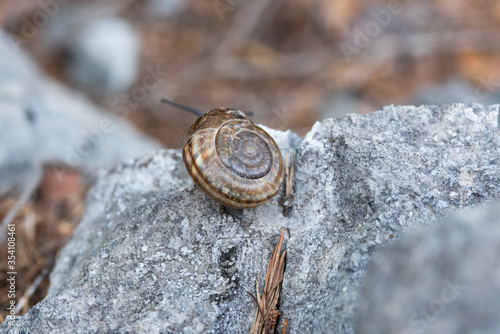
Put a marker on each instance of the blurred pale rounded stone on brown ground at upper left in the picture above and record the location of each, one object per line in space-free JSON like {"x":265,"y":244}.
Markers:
{"x":100,"y":52}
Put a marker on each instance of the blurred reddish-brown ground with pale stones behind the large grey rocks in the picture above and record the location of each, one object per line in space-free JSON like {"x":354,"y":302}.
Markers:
{"x":290,"y":62}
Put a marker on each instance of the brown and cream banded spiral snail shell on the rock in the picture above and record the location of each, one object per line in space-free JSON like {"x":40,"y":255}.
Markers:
{"x":232,"y":160}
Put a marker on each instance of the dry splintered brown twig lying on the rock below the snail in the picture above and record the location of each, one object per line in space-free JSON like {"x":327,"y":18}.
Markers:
{"x":268,"y":313}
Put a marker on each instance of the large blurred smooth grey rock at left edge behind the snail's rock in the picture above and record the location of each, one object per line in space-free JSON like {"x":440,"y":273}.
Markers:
{"x":42,"y":122}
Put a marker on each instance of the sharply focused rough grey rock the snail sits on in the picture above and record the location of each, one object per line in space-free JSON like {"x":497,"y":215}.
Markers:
{"x":154,"y":255}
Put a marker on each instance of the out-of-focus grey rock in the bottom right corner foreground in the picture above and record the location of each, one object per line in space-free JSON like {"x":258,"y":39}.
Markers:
{"x":442,"y":280}
